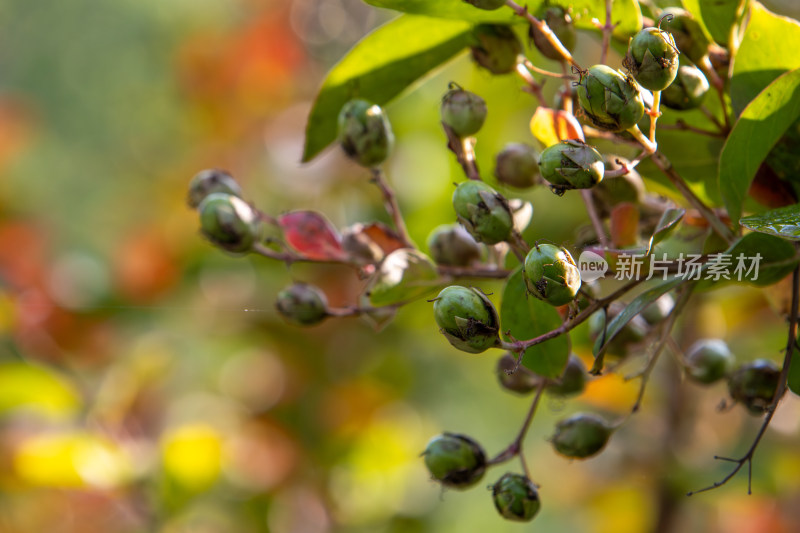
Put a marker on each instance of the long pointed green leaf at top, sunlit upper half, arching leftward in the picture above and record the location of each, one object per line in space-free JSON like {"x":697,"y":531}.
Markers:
{"x":380,"y":67}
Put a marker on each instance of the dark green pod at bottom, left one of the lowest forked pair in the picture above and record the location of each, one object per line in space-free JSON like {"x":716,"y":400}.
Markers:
{"x":455,"y":461}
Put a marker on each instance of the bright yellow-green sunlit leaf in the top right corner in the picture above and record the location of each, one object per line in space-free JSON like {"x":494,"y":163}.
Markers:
{"x":768,"y":49}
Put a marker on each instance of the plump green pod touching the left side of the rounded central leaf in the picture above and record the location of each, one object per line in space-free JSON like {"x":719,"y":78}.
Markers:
{"x":467,"y":318}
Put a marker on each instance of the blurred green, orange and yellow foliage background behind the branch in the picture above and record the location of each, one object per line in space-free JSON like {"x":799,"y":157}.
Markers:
{"x":146,"y":383}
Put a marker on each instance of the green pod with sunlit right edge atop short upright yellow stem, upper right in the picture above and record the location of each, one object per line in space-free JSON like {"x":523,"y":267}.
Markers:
{"x":652,"y":58}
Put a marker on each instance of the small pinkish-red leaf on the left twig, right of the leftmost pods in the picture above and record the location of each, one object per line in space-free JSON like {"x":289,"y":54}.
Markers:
{"x":312,"y":235}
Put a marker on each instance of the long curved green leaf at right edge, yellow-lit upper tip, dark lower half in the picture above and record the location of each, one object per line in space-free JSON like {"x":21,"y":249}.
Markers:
{"x":759,"y":127}
